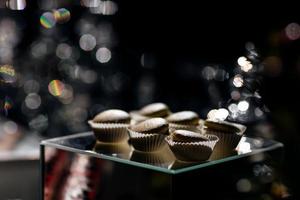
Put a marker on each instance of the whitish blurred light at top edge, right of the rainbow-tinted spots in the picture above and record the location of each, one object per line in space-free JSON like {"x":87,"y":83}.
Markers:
{"x":105,"y":8}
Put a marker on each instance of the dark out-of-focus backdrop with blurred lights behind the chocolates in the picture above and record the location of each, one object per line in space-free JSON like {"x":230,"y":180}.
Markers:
{"x":182,"y":53}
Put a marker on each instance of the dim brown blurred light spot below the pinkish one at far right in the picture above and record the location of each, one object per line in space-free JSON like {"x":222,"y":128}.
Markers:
{"x":272,"y":65}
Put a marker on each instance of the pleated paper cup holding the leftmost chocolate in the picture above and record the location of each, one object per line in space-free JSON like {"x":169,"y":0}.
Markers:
{"x":110,"y":132}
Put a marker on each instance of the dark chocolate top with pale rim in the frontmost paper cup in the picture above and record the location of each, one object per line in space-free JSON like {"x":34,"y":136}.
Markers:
{"x":187,"y":136}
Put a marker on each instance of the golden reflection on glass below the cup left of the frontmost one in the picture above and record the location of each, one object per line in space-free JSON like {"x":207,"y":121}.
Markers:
{"x":153,"y":158}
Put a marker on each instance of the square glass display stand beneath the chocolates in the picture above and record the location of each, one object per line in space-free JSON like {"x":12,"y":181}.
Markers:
{"x":78,"y":167}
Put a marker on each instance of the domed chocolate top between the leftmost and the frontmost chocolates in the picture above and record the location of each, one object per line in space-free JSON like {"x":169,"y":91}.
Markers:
{"x":153,"y":125}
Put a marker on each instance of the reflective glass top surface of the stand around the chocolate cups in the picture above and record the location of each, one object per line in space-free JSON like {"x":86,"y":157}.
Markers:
{"x":162,"y":160}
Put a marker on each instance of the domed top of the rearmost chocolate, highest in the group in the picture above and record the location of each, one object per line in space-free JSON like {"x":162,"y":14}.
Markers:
{"x":155,"y":110}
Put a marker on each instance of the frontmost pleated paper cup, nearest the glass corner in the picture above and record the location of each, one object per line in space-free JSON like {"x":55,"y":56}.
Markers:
{"x":192,"y":151}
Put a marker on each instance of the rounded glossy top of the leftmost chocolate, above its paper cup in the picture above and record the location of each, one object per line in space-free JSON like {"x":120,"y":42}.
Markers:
{"x":112,"y":116}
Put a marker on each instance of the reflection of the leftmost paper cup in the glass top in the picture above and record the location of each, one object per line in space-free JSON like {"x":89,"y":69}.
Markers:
{"x":121,"y":149}
